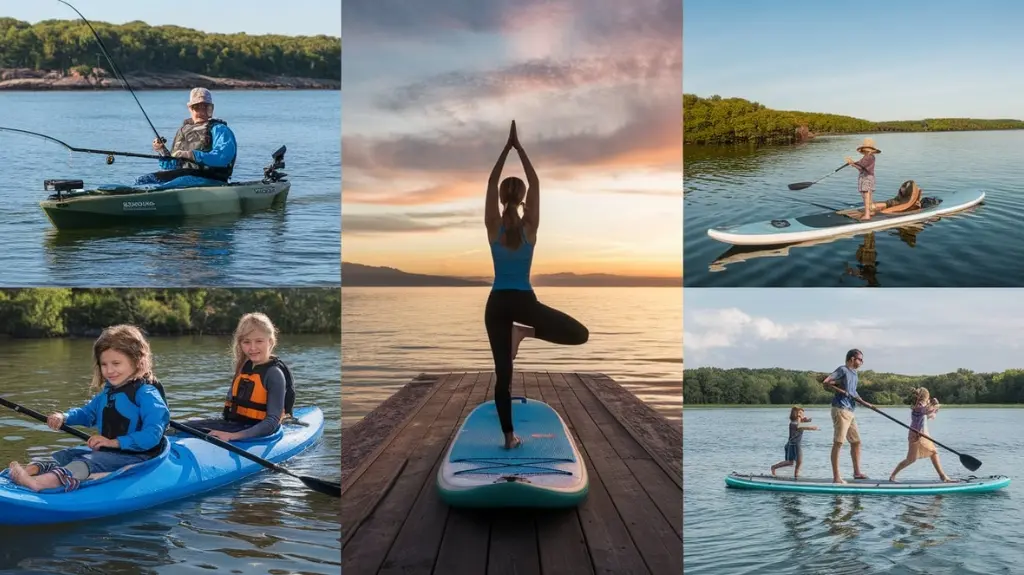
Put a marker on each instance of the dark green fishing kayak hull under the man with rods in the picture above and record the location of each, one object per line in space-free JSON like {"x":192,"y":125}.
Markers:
{"x":114,"y":206}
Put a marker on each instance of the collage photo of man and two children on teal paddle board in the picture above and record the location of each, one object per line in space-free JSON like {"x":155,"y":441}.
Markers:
{"x":914,"y":471}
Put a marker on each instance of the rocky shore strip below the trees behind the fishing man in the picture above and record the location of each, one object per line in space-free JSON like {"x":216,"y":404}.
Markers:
{"x":99,"y":79}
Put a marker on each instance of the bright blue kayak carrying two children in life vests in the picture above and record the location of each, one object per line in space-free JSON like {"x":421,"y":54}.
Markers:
{"x":189,"y":466}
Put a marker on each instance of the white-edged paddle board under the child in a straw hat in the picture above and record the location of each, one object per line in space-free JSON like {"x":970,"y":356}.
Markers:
{"x":833,"y":225}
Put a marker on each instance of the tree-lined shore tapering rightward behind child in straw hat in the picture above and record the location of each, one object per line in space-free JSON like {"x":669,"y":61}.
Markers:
{"x":718,"y":121}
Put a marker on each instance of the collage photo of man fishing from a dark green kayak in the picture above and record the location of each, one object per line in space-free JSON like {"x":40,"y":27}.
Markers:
{"x":187,"y":150}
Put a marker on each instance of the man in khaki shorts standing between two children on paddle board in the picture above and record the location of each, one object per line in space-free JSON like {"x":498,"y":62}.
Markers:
{"x":844,"y":382}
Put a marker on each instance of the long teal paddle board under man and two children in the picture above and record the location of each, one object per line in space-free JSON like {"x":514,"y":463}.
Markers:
{"x":867,"y":486}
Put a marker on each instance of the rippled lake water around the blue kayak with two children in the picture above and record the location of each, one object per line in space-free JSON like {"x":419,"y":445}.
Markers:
{"x":268,"y":524}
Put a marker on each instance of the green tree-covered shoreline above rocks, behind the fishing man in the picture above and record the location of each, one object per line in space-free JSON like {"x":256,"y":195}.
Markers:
{"x":65,"y":56}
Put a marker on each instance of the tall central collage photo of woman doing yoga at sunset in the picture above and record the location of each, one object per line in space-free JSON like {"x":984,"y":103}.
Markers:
{"x":511,"y":392}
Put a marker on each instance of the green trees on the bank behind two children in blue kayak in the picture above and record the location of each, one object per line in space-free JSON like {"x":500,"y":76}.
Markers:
{"x":69,"y":313}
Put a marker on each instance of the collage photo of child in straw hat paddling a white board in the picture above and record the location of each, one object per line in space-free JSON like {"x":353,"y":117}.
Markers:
{"x":849,"y":153}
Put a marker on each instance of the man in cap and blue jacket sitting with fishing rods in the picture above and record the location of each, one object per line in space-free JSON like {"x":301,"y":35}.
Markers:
{"x":203,"y":153}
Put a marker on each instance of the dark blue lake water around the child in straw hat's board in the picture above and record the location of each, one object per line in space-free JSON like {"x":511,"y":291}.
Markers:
{"x":970,"y":249}
